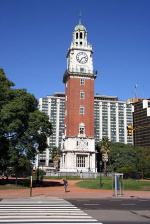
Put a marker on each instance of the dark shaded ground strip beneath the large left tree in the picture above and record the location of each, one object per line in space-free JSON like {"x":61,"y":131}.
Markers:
{"x":25,"y":183}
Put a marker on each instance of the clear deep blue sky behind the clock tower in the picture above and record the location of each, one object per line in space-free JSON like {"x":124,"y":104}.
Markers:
{"x":35,"y":36}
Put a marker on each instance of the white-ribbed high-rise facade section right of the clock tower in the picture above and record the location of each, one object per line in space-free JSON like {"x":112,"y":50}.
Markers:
{"x":112,"y":117}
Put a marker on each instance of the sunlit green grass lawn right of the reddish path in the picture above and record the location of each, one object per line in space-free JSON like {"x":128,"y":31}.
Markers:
{"x":128,"y":184}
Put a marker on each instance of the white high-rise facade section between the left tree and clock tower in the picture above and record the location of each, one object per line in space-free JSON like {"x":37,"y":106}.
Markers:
{"x":54,"y":107}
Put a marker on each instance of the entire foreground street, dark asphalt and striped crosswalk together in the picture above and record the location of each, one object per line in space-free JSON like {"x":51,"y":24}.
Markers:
{"x":43,"y":209}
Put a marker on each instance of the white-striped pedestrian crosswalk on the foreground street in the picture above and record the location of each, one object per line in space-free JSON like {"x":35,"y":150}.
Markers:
{"x":42,"y":210}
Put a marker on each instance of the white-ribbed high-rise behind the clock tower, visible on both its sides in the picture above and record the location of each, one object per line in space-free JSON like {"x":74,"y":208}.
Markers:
{"x":111,"y":118}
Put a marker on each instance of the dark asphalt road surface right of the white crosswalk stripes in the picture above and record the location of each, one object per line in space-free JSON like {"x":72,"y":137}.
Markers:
{"x":116,"y":210}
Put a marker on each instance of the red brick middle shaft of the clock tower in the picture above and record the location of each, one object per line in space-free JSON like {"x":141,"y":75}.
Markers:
{"x":73,"y":103}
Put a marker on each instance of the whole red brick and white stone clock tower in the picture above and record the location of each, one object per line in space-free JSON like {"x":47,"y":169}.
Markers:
{"x":78,"y":143}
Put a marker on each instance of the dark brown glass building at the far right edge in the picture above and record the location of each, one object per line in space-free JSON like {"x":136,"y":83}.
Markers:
{"x":141,"y":121}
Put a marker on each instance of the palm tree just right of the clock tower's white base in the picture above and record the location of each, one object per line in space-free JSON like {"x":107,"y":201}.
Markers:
{"x":105,"y":146}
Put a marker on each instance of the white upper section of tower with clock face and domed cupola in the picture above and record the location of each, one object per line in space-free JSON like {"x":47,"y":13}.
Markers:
{"x":79,"y":56}
